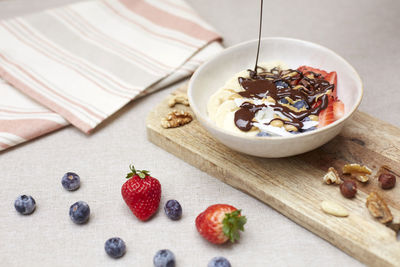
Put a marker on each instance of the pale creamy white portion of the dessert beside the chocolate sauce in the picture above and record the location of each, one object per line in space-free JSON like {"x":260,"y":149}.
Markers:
{"x":223,"y":104}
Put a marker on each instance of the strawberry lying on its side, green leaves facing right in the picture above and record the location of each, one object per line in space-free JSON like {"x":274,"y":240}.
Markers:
{"x":220,"y":223}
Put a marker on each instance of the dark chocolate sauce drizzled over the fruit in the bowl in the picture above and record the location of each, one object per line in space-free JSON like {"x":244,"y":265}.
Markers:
{"x":309,"y":87}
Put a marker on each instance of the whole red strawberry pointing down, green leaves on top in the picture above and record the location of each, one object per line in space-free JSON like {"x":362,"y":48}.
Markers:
{"x":142,"y":193}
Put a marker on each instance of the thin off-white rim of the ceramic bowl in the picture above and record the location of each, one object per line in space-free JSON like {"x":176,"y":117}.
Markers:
{"x":228,"y":50}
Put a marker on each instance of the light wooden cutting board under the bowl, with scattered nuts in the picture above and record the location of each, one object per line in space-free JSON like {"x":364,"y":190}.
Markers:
{"x":294,"y":187}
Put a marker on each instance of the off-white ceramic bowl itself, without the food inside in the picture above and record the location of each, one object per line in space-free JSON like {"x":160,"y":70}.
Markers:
{"x":213,"y":74}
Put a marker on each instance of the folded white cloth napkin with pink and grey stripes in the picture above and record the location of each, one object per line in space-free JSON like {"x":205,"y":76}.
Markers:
{"x":83,"y":62}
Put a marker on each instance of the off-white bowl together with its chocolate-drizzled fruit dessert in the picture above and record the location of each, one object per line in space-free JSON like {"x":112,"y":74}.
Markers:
{"x":275,"y":112}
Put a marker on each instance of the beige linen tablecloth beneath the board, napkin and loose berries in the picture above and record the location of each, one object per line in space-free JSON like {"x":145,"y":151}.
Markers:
{"x":364,"y":32}
